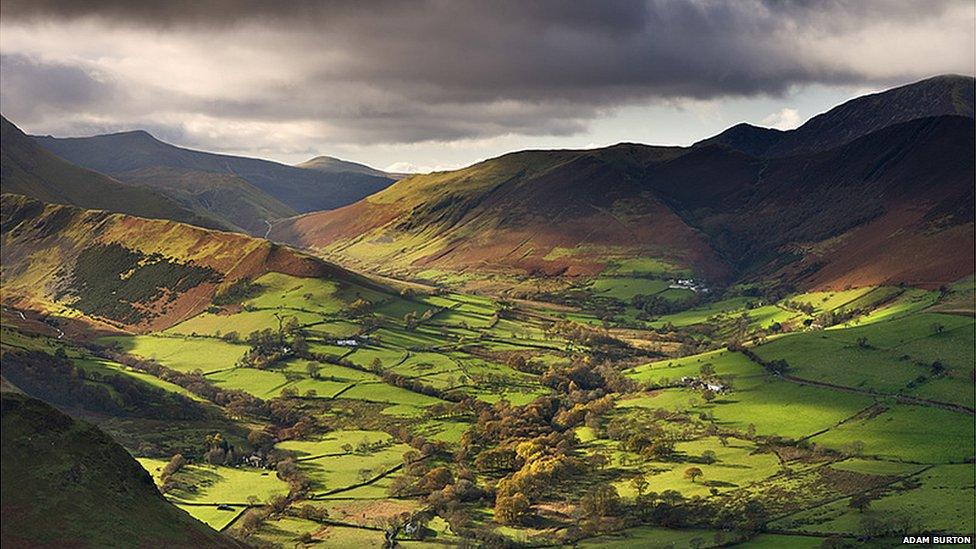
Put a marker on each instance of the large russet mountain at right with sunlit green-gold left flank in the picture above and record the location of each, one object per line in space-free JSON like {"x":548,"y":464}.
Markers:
{"x":891,"y":206}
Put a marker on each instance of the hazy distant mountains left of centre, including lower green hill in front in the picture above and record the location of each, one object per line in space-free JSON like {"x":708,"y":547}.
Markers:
{"x":238,"y":193}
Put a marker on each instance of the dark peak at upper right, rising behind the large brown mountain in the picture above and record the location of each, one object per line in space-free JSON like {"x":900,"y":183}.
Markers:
{"x":941,"y":95}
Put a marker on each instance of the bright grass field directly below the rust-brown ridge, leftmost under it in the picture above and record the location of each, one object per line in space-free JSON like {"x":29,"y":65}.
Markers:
{"x":181,"y":353}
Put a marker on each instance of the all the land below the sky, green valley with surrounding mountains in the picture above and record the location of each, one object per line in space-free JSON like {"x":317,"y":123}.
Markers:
{"x":634,"y":346}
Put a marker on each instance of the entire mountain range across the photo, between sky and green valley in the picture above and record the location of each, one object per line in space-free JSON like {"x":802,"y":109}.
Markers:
{"x":876,"y":190}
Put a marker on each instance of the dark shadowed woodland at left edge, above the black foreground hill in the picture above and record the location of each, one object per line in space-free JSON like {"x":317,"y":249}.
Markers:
{"x":55,"y":378}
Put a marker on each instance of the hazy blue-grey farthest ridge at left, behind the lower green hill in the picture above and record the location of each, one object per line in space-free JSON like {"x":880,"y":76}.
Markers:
{"x":130,"y":154}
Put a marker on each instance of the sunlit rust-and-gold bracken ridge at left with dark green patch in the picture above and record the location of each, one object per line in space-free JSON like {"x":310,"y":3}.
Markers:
{"x":127,"y":272}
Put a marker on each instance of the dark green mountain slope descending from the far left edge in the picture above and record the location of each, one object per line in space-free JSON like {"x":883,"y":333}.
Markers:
{"x":30,"y":170}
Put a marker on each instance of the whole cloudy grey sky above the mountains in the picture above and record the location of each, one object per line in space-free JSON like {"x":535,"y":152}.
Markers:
{"x":417,"y":85}
